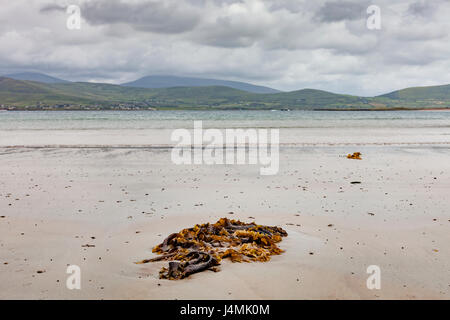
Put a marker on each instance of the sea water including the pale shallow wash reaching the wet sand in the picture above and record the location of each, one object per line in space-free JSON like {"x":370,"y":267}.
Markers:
{"x":154,"y":127}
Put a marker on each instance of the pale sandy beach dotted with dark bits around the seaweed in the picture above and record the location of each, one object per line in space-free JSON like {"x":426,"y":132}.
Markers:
{"x":122,"y":201}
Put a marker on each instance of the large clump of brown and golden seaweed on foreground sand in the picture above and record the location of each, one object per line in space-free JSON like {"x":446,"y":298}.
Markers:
{"x":204,"y":246}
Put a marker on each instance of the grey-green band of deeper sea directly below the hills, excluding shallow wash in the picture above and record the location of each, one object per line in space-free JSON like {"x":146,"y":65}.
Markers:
{"x":98,"y":120}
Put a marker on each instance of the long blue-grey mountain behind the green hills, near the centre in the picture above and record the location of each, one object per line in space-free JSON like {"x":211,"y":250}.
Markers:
{"x":172,"y":81}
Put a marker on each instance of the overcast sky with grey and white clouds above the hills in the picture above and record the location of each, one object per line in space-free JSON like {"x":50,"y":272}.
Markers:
{"x":285,"y":44}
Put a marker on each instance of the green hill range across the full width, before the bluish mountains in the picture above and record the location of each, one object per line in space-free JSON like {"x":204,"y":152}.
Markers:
{"x":35,"y":95}
